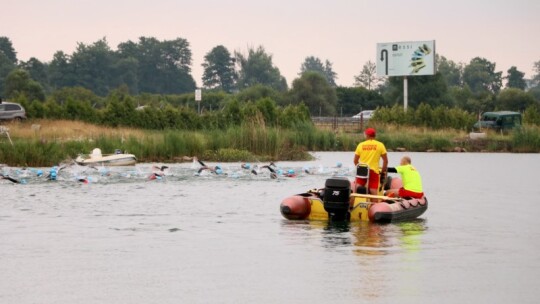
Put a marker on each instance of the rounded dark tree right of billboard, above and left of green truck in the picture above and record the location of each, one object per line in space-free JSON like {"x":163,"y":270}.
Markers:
{"x":481,"y":77}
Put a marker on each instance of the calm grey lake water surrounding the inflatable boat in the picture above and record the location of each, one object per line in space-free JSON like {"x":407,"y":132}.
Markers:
{"x":205,"y":239}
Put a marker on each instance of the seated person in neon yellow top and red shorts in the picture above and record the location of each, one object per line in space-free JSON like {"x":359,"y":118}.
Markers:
{"x":412,"y":182}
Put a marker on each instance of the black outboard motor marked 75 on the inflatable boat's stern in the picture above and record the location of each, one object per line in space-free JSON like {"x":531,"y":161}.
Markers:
{"x":336,"y":198}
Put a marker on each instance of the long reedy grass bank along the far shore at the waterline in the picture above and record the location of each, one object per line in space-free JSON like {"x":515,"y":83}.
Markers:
{"x":47,"y":142}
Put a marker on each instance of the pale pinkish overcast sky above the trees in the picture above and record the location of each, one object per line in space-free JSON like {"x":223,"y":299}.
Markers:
{"x":344,"y":32}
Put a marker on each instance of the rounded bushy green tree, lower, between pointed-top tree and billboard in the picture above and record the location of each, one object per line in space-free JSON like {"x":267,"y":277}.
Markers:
{"x":313,"y":90}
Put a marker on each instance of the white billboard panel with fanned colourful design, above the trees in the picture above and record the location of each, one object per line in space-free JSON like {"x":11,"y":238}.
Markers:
{"x":410,"y":58}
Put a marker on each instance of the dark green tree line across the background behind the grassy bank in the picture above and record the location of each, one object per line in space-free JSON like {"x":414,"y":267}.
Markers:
{"x":157,"y":74}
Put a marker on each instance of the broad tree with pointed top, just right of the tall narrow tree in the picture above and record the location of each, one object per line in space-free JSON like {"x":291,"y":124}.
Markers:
{"x":257,"y":68}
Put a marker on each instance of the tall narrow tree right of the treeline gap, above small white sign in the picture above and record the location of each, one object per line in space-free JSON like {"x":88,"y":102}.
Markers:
{"x":219,"y":70}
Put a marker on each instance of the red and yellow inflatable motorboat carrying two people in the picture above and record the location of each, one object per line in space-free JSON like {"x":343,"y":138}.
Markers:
{"x":338,"y":202}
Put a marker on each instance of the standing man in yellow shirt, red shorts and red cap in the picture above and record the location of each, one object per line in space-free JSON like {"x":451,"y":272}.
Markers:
{"x":370,"y":152}
